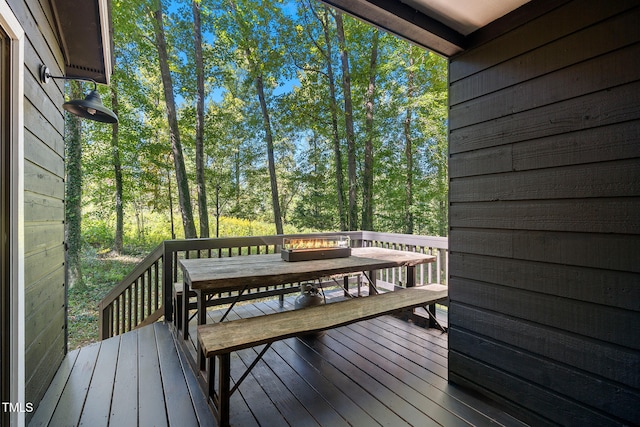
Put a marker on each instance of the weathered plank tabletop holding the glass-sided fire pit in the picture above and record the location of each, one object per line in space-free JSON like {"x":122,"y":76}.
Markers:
{"x":265,"y":270}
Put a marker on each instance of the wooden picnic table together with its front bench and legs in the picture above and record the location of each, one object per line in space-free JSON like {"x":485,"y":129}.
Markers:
{"x":207,"y":275}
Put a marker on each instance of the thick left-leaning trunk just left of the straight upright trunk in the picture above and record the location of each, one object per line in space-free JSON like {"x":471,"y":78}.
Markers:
{"x":184,"y":199}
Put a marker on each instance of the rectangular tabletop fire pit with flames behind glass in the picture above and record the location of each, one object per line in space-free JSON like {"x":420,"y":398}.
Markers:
{"x":307,"y":249}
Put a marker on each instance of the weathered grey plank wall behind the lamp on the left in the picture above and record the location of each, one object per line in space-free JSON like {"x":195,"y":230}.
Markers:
{"x":44,"y":199}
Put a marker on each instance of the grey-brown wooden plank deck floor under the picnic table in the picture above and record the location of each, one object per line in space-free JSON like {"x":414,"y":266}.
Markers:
{"x":383,"y":371}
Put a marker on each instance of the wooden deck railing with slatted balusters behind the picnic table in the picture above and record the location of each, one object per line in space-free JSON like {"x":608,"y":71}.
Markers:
{"x":145,"y":295}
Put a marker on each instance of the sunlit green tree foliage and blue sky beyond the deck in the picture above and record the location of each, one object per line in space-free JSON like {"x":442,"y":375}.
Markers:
{"x":287,"y":45}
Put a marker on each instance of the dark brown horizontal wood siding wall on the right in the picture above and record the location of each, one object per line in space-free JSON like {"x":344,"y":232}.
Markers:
{"x":545,"y":200}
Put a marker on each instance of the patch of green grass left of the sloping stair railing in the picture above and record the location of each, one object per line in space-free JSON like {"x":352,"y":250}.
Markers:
{"x":101,"y":271}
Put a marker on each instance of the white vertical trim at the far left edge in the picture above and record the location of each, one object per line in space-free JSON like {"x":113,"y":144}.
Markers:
{"x":14,"y":30}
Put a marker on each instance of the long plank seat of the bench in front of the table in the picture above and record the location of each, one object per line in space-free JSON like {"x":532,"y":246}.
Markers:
{"x":225,"y":337}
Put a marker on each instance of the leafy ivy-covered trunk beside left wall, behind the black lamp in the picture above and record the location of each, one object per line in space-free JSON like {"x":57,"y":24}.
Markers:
{"x":73,"y":210}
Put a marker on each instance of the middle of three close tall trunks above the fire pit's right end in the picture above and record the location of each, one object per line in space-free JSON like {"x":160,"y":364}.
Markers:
{"x":348,"y":115}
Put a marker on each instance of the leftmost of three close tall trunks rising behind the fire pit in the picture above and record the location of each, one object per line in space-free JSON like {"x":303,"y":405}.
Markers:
{"x":337,"y":152}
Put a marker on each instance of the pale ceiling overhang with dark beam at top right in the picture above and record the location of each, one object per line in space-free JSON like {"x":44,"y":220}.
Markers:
{"x":443,"y":26}
